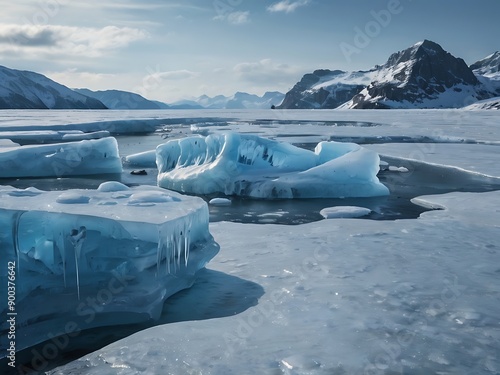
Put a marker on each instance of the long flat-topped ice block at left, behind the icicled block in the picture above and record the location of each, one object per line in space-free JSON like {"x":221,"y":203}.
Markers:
{"x":61,"y":159}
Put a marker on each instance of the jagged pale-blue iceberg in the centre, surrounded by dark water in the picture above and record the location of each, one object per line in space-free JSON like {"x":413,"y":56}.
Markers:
{"x":248,"y":165}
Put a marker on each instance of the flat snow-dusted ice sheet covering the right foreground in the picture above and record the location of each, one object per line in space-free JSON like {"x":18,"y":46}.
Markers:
{"x":403,"y":296}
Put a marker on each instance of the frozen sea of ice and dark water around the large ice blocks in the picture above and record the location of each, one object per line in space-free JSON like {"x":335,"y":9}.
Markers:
{"x":411,"y":288}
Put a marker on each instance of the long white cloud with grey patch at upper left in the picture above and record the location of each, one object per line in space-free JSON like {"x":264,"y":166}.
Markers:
{"x":67,"y":40}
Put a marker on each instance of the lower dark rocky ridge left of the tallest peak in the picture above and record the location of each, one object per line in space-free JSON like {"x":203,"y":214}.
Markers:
{"x":322,"y":89}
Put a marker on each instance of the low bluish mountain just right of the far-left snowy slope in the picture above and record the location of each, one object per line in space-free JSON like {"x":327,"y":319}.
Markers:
{"x":116,"y":99}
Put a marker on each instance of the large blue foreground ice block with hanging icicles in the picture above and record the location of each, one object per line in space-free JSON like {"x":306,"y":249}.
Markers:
{"x":98,"y":257}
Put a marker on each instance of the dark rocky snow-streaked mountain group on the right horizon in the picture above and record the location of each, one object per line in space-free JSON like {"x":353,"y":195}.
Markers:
{"x":422,"y":76}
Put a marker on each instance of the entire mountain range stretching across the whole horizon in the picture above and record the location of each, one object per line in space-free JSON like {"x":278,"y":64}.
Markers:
{"x":422,"y":76}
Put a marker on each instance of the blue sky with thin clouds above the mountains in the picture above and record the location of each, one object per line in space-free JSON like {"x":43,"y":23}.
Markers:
{"x":172,"y":50}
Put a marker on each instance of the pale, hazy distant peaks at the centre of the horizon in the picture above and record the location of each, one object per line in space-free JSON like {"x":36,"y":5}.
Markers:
{"x":240,"y":100}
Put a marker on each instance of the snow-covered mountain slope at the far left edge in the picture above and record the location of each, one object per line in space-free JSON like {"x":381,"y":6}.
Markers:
{"x":29,"y":90}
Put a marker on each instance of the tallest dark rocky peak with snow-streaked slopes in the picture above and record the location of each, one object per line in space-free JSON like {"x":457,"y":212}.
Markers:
{"x":422,"y":76}
